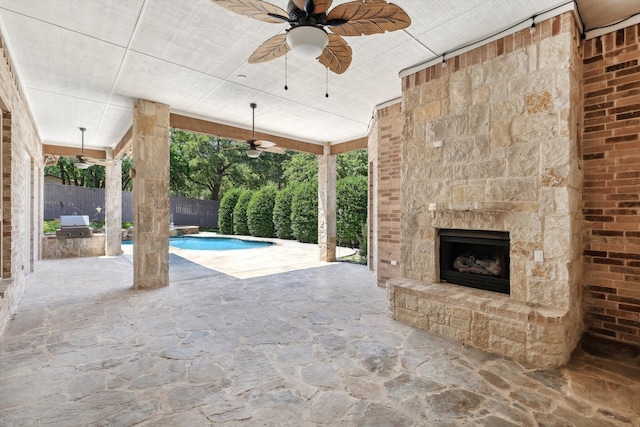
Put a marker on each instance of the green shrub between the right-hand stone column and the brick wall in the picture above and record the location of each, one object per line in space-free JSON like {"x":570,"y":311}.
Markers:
{"x":351,"y":203}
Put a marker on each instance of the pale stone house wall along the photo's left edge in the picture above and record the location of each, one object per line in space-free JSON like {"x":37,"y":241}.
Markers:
{"x":20,"y":142}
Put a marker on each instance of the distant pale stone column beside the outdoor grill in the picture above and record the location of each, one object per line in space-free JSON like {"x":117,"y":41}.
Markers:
{"x":113,"y":206}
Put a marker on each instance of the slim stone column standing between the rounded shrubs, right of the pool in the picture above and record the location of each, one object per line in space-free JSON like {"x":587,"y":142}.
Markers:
{"x":327,"y":204}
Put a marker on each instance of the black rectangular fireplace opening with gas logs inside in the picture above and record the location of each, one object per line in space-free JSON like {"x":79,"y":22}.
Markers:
{"x":475,"y":258}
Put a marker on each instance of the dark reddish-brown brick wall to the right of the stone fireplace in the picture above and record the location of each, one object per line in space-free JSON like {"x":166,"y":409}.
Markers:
{"x":611,"y":196}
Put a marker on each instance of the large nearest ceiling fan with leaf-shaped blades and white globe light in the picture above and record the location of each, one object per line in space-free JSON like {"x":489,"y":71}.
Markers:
{"x":307,"y":36}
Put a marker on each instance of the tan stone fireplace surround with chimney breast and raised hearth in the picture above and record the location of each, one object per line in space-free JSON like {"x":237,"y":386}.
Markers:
{"x":508,"y":115}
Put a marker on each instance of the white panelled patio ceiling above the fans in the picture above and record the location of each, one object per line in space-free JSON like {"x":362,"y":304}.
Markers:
{"x":84,"y":62}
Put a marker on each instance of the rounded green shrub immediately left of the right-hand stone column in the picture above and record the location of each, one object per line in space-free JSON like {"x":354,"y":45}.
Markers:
{"x":304,"y":212}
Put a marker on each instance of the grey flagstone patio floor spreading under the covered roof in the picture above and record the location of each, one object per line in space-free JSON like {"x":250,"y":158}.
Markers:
{"x":311,"y":346}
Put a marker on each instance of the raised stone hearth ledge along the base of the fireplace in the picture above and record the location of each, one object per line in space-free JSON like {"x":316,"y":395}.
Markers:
{"x":535,"y":335}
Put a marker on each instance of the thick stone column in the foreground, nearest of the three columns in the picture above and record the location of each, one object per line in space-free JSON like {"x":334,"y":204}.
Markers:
{"x":150,"y":195}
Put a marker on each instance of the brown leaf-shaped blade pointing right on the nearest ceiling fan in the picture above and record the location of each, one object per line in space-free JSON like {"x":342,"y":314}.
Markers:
{"x":362,"y":18}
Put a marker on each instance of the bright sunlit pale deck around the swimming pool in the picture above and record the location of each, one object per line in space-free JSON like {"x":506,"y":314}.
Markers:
{"x":282,"y":256}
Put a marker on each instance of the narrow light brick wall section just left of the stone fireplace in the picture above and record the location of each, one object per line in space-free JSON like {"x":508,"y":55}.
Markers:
{"x":387,"y":192}
